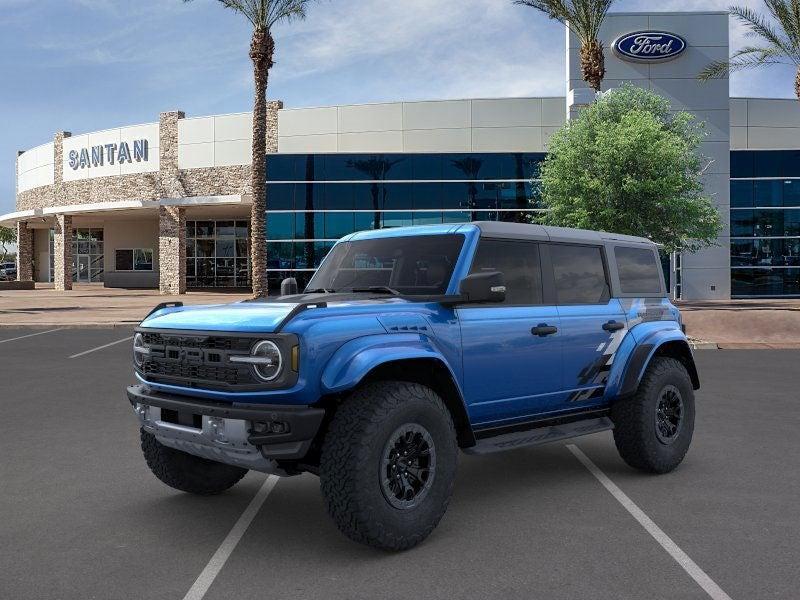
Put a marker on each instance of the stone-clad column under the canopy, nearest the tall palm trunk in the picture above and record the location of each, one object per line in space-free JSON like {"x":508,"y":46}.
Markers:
{"x":171,"y":250}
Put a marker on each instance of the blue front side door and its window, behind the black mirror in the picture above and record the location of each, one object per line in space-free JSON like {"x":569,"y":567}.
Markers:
{"x":511,"y":351}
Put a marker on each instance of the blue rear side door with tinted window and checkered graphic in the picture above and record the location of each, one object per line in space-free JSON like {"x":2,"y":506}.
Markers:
{"x":592,"y":323}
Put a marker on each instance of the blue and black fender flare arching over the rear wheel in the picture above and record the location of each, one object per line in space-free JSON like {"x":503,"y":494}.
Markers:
{"x":671,"y":343}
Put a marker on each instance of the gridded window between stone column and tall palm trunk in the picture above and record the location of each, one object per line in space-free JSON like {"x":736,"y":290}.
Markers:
{"x":217,"y":254}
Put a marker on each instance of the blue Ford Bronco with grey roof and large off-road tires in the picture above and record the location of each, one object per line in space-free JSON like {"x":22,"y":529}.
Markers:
{"x":408,"y":345}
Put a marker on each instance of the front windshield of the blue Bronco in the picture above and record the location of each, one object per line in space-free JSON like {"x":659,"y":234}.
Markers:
{"x":413,"y":265}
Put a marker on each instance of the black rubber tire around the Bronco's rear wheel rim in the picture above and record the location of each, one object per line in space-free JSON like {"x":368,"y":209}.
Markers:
{"x":635,"y":419}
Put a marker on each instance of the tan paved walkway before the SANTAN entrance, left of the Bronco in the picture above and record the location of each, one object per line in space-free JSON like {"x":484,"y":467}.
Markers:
{"x":91,"y":305}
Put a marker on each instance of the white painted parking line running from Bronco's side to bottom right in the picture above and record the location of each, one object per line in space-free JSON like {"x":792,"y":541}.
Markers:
{"x":695,"y":572}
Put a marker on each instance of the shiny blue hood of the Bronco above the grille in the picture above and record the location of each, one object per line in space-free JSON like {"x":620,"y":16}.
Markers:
{"x":244,"y":316}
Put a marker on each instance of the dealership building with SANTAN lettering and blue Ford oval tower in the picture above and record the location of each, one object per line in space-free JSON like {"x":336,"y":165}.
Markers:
{"x":166,"y":204}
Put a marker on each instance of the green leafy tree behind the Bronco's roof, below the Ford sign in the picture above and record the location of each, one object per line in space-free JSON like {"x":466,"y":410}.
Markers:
{"x":628,"y":165}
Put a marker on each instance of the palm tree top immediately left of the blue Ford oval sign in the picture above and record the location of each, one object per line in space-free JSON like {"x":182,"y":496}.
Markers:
{"x":584,"y":19}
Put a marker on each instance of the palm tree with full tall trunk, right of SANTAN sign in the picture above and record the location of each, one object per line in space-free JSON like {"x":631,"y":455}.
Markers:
{"x":263,"y":15}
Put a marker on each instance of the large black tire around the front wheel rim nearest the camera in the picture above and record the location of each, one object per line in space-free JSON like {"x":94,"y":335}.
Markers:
{"x":351,"y":463}
